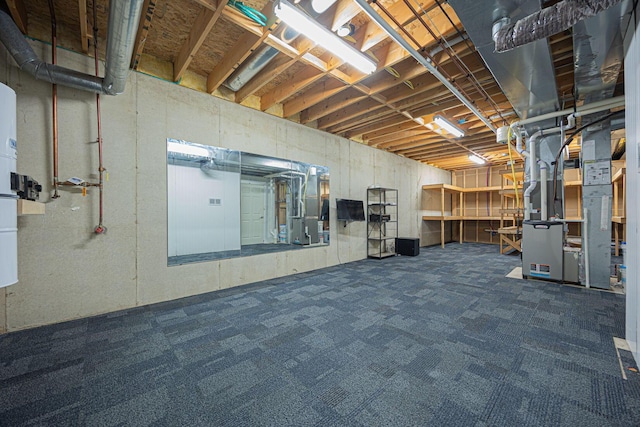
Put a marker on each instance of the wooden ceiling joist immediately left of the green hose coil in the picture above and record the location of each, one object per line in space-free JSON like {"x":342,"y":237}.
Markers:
{"x":199,"y":31}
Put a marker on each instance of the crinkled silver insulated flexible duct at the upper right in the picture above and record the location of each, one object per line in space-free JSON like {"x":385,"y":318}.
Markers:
{"x":548,"y":21}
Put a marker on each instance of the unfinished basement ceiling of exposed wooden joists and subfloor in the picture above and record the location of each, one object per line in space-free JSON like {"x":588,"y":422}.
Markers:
{"x":200,"y":43}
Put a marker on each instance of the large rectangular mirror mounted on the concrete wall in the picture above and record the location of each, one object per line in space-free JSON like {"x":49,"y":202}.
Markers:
{"x":224,"y":203}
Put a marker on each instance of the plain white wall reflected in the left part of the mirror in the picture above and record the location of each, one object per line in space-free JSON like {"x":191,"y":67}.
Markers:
{"x":195,"y":226}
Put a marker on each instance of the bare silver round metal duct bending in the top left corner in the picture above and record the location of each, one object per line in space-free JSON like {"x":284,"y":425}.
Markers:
{"x":123,"y":24}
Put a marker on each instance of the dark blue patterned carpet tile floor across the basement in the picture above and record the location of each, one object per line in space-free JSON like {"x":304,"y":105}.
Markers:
{"x":442,"y":339}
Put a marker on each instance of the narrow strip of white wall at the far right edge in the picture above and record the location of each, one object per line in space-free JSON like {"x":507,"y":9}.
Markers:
{"x":632,"y":94}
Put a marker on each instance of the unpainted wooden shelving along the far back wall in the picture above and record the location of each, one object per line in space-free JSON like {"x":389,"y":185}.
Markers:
{"x":473,"y":206}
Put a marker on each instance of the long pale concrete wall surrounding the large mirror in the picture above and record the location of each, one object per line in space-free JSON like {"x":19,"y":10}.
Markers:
{"x":66,"y":272}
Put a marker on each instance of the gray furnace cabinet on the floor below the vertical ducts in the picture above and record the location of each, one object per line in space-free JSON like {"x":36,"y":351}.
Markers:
{"x":542,"y":250}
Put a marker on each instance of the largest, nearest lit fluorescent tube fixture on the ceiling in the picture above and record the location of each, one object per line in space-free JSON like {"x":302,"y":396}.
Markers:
{"x":303,"y":24}
